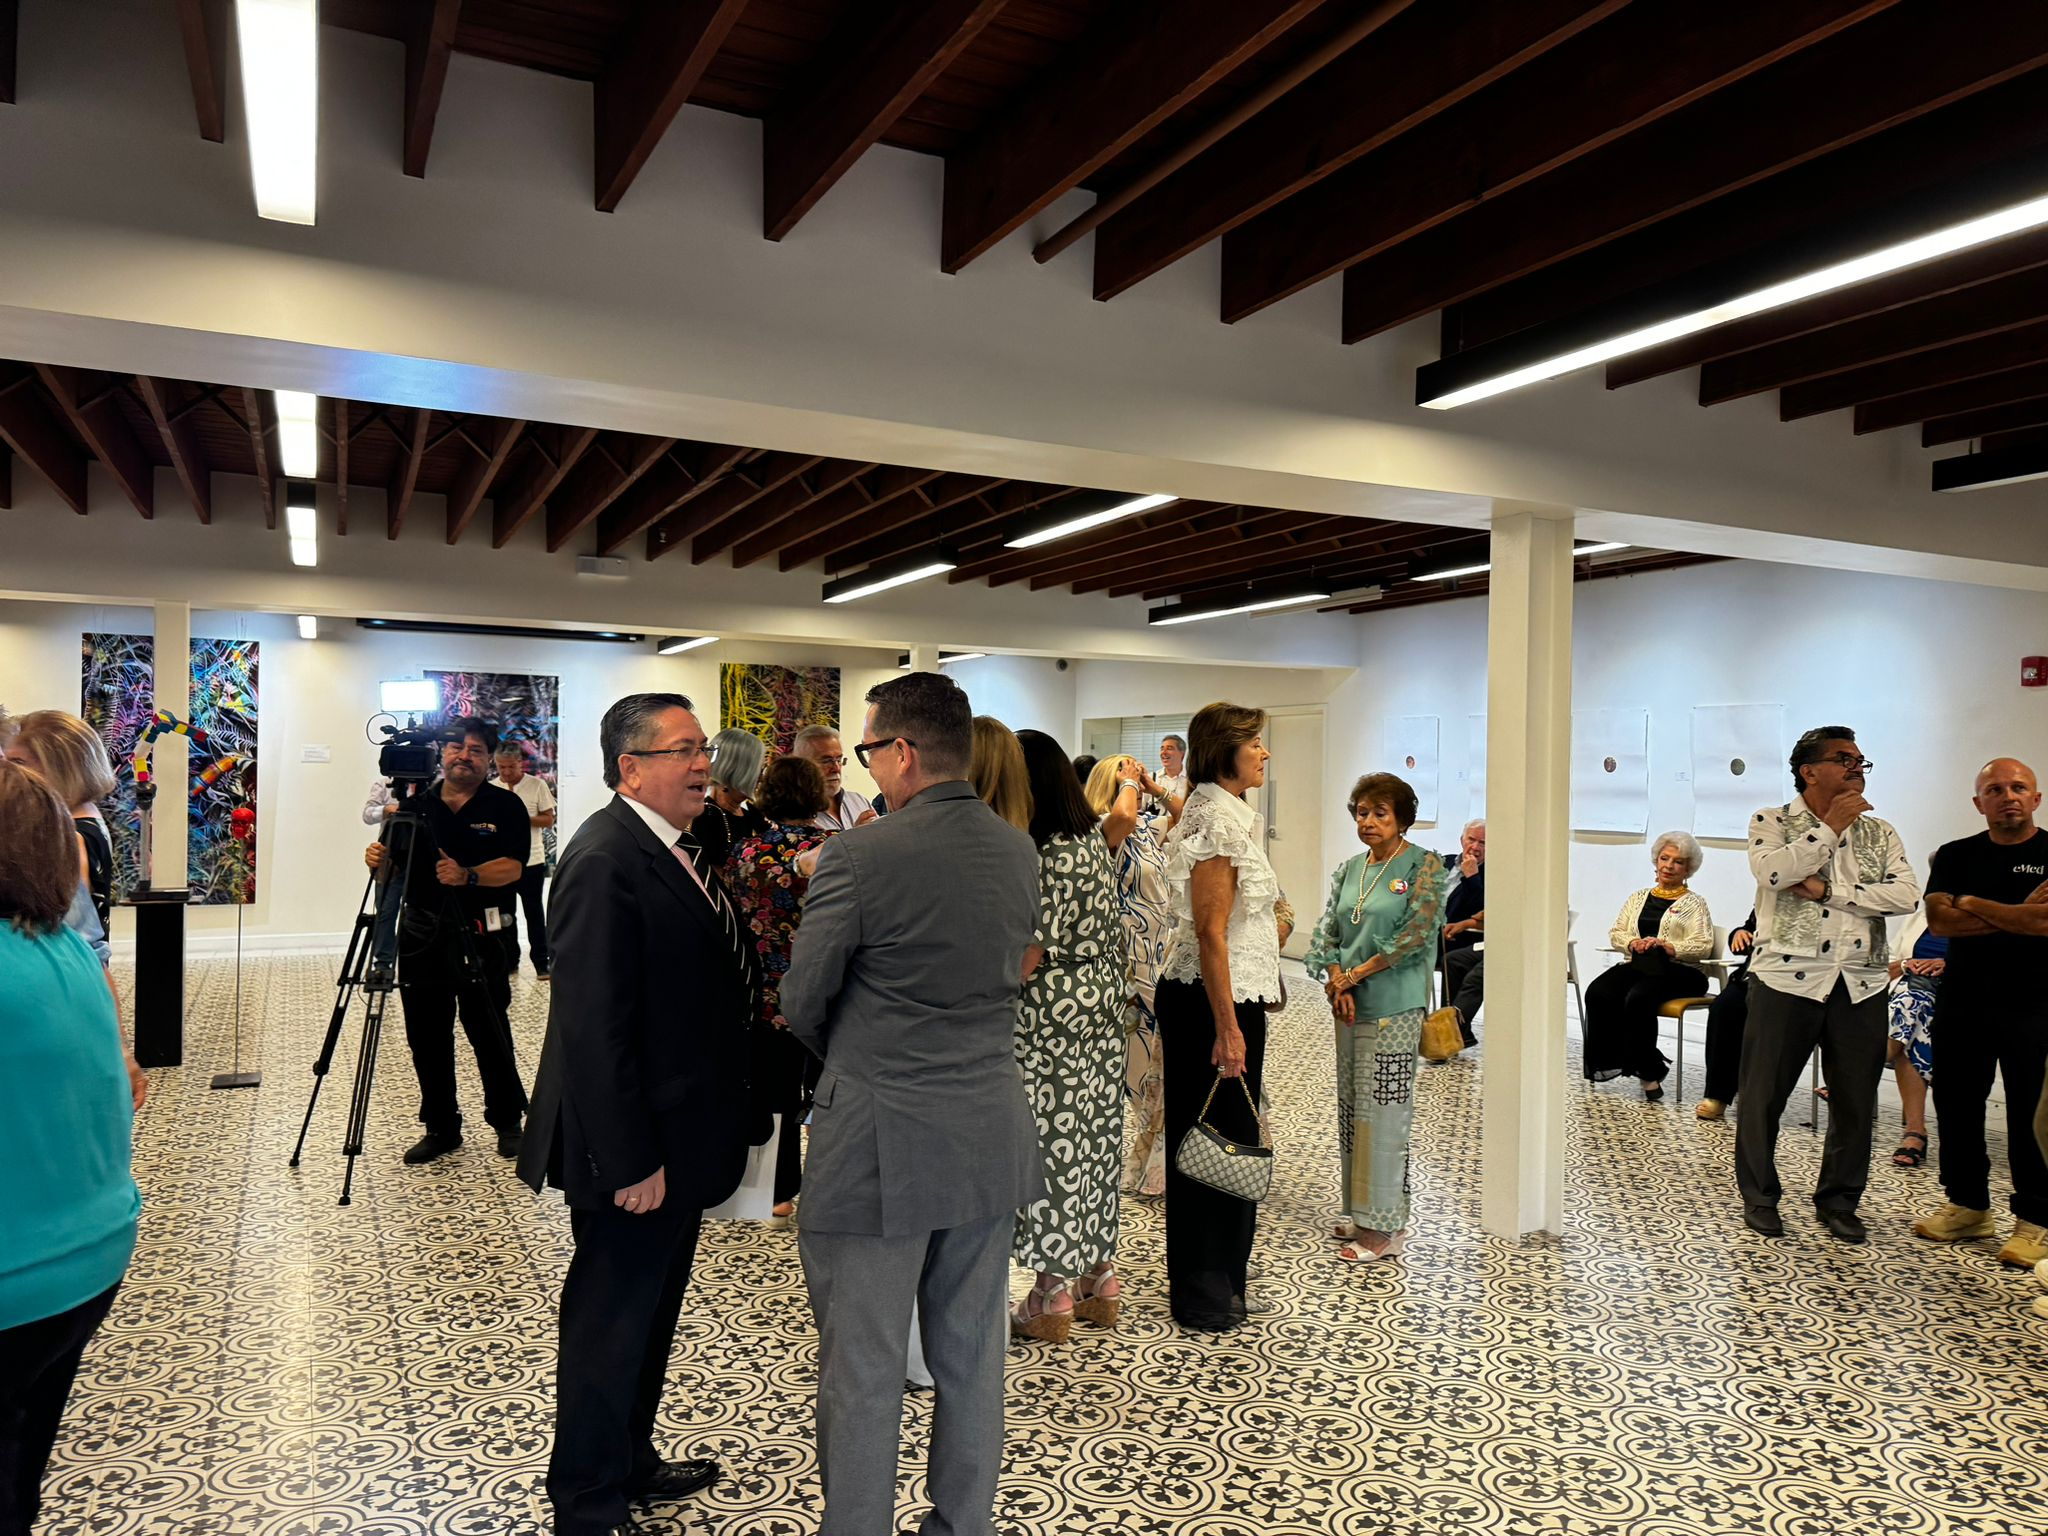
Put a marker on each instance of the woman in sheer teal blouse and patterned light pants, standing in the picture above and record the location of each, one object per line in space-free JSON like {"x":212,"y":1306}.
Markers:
{"x":1377,"y":945}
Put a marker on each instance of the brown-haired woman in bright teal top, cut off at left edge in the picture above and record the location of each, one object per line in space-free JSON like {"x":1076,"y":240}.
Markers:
{"x":69,"y":1201}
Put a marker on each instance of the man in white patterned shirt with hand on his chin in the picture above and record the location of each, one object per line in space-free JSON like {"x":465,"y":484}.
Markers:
{"x":1828,"y":878}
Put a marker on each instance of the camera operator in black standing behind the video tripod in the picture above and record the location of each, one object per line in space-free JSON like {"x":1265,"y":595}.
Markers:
{"x":466,"y":867}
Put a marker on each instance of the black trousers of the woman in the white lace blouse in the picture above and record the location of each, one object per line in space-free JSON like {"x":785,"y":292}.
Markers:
{"x":1207,"y":1234}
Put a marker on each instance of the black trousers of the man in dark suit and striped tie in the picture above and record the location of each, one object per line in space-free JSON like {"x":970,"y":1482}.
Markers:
{"x":620,"y":1310}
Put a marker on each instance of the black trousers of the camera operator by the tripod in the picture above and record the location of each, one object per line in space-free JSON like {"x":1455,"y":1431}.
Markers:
{"x":433,"y":990}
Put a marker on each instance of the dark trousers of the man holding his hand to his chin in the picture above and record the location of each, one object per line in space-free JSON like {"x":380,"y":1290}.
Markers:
{"x":1777,"y":1046}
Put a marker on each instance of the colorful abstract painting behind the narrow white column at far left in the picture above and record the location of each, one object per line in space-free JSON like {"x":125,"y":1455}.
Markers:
{"x":118,"y":697}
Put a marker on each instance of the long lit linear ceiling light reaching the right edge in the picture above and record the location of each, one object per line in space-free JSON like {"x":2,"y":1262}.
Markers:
{"x":1887,"y":259}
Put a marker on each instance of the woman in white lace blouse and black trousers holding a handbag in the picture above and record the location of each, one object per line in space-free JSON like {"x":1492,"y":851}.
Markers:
{"x":1222,"y":972}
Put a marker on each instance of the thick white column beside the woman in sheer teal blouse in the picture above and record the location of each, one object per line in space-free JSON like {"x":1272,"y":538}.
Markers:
{"x":1529,"y":835}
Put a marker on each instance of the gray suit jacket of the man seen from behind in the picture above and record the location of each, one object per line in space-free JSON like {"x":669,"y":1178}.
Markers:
{"x":906,"y":980}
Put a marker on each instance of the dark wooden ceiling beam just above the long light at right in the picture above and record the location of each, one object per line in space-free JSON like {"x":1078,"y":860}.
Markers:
{"x":1906,"y":62}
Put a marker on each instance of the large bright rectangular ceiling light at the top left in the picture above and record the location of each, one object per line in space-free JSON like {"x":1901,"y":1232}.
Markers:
{"x":282,"y":99}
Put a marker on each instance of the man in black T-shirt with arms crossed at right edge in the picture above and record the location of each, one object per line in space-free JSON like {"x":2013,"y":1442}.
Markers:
{"x":1990,"y":898}
